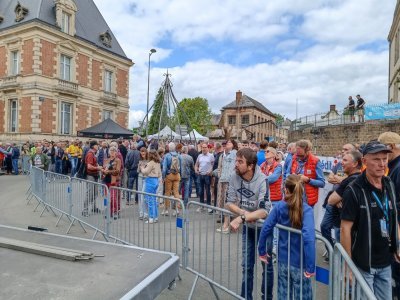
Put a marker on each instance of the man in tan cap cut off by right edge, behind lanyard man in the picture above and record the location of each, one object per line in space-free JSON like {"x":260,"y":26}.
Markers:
{"x":392,"y":141}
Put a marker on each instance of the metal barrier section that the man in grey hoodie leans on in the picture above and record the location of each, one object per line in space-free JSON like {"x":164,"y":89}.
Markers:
{"x":218,"y":258}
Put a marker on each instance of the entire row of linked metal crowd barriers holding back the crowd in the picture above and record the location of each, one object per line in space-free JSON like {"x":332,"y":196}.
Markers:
{"x":214,"y":256}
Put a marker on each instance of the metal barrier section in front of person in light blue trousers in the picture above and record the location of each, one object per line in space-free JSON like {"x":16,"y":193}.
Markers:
{"x":129,"y":221}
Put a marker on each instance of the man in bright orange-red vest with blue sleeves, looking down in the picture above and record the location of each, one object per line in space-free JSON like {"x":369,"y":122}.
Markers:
{"x":310,"y":168}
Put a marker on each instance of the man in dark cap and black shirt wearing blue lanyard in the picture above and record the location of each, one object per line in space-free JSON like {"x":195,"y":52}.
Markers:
{"x":369,"y":227}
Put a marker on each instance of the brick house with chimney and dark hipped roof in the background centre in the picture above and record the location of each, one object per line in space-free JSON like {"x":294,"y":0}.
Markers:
{"x":238,"y":117}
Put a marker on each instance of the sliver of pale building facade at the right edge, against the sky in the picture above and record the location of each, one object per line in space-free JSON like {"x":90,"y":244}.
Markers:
{"x":394,"y":54}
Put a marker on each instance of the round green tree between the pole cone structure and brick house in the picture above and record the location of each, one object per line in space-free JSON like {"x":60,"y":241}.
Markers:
{"x":198,"y":114}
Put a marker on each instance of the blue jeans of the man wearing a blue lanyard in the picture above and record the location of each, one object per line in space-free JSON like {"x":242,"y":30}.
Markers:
{"x":380,"y":282}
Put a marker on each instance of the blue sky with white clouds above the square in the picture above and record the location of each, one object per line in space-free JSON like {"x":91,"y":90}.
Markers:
{"x":316,"y":51}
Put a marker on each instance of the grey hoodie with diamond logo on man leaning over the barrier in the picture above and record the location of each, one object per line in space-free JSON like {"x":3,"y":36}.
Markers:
{"x":250,"y":195}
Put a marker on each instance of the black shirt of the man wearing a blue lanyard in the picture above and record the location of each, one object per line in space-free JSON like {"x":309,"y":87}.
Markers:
{"x":381,"y":255}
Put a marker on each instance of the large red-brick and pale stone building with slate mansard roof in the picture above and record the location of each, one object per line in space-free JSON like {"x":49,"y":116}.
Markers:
{"x":61,"y":69}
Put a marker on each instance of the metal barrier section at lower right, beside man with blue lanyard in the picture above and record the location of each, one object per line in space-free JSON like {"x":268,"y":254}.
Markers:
{"x":348,"y":282}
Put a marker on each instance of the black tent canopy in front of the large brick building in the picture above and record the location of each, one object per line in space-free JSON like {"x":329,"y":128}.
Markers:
{"x":107,"y":129}
